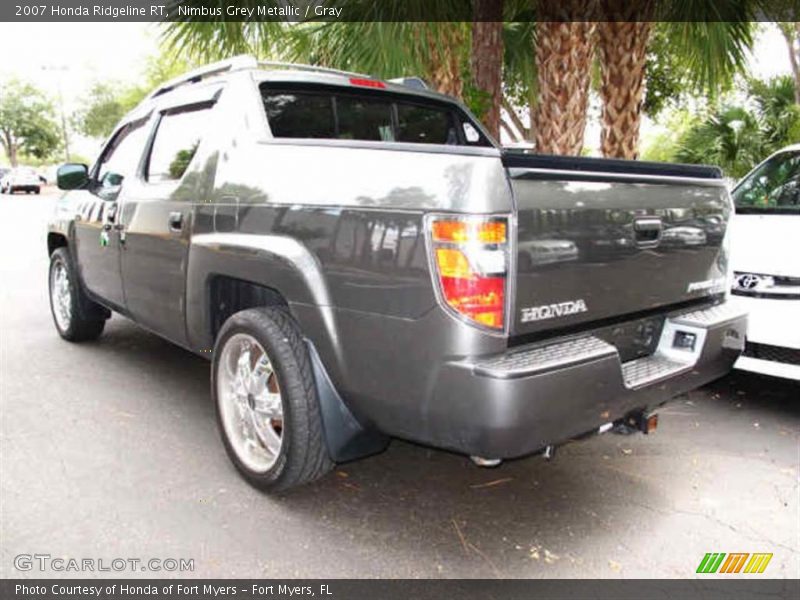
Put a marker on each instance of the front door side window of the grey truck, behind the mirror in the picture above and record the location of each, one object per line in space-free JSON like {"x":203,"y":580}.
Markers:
{"x":120,"y":159}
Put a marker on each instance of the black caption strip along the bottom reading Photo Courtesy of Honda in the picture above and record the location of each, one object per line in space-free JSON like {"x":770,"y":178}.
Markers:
{"x":709,"y":588}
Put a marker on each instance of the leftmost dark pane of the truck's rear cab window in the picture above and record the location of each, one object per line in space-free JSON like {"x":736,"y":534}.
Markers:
{"x":300,"y":115}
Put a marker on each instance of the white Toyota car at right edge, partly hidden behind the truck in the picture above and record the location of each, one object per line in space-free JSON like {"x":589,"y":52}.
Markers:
{"x":766,"y":263}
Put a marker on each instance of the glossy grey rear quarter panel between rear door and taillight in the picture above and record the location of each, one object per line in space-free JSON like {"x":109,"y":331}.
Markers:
{"x":362,"y":292}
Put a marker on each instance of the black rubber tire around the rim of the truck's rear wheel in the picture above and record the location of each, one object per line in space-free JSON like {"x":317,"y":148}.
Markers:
{"x":303,"y":455}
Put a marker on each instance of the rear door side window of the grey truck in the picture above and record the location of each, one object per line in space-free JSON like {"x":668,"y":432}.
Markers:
{"x":177,"y":138}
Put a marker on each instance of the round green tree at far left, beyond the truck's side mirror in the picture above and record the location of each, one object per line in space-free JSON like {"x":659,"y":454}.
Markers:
{"x":27,"y":122}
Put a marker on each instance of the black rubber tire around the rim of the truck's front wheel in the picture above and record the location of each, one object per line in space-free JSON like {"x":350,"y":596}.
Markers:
{"x":87,"y":318}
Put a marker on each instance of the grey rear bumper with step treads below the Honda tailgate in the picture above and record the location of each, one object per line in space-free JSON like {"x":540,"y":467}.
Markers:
{"x":519,"y":402}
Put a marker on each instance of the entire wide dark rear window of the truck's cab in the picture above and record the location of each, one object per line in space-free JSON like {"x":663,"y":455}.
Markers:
{"x":334,"y":113}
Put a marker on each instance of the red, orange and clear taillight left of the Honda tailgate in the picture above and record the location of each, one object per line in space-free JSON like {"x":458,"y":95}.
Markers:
{"x":470,"y":255}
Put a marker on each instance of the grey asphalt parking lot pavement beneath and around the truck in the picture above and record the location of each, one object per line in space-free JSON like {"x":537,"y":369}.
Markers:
{"x":109,"y":449}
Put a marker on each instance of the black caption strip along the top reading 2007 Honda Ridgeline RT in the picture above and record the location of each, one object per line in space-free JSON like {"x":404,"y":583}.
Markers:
{"x":392,"y":10}
